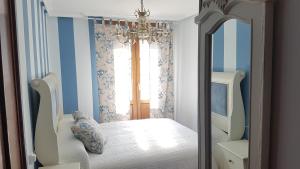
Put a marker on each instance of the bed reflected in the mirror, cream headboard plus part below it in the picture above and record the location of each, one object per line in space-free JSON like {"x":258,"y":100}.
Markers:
{"x":227,"y":111}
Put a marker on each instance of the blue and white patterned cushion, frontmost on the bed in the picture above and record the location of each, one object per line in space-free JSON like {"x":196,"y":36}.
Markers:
{"x":89,"y":135}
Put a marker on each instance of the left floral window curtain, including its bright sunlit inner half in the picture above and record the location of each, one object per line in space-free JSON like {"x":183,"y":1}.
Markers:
{"x":112,"y":60}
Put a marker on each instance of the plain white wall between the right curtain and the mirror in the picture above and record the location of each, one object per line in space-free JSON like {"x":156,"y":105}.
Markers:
{"x":186,"y":68}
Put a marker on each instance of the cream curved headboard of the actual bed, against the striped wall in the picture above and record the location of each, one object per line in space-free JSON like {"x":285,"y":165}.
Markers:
{"x":48,"y":119}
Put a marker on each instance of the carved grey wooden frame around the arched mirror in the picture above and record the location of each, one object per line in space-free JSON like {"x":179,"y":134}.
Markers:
{"x":259,"y":13}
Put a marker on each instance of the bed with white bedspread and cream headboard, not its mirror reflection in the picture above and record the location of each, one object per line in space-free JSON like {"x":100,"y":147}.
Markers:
{"x":137,"y":144}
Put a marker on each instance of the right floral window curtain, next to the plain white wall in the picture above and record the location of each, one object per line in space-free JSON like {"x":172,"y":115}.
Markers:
{"x":162,"y":79}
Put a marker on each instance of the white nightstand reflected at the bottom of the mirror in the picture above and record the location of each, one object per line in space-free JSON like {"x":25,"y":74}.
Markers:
{"x":234,"y":154}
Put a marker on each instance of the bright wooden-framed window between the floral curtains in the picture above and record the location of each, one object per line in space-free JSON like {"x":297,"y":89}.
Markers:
{"x":136,"y":79}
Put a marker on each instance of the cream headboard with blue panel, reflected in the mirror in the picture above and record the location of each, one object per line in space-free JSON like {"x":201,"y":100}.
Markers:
{"x":229,"y":114}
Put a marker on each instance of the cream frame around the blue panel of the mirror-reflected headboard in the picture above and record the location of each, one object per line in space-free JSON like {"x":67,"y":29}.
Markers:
{"x":234,"y":121}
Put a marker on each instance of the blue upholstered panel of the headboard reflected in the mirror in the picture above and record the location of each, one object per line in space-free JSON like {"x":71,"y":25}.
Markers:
{"x":219,"y":98}
